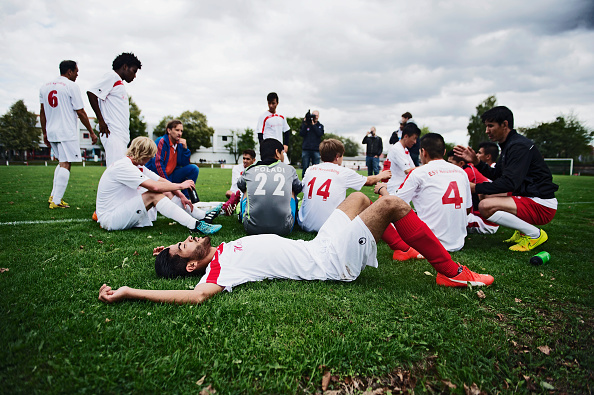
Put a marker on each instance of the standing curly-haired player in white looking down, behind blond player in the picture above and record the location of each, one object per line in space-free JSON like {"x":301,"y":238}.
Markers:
{"x":109,"y":101}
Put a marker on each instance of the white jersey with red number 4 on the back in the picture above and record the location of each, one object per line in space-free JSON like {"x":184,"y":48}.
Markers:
{"x":440,"y":192}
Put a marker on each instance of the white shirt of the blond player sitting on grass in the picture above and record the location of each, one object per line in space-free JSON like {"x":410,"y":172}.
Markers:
{"x":120,"y":182}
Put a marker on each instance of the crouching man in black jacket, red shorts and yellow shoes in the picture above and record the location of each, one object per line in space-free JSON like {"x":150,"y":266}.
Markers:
{"x":521,"y":179}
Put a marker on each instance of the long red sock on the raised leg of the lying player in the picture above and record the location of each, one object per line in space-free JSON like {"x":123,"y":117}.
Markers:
{"x":417,"y":234}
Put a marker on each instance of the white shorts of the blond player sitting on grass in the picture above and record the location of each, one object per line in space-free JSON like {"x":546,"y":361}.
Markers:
{"x":130,"y":214}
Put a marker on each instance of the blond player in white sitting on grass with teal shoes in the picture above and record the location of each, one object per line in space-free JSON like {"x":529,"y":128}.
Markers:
{"x":128,"y":190}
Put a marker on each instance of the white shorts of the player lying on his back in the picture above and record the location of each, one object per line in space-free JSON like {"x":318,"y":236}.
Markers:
{"x":344,"y":247}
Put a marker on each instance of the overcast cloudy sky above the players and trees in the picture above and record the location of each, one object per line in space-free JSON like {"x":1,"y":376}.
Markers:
{"x":360,"y":63}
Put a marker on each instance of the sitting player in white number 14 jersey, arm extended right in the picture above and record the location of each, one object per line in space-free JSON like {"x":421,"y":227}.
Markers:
{"x":325,"y":185}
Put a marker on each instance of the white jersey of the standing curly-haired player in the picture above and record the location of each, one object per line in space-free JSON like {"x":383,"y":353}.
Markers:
{"x":113,"y":103}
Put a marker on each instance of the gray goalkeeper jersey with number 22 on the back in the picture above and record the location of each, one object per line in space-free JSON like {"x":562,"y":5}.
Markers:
{"x":267,"y":189}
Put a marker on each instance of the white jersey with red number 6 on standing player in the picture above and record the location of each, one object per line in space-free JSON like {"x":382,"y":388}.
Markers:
{"x":60,"y":99}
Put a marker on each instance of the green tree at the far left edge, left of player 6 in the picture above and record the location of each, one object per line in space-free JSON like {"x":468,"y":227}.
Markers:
{"x":17,"y":129}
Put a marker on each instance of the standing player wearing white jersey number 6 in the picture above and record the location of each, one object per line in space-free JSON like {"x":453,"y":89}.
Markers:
{"x":61,"y":104}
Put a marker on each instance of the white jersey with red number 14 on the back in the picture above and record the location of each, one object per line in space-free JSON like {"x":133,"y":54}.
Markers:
{"x":324,"y":188}
